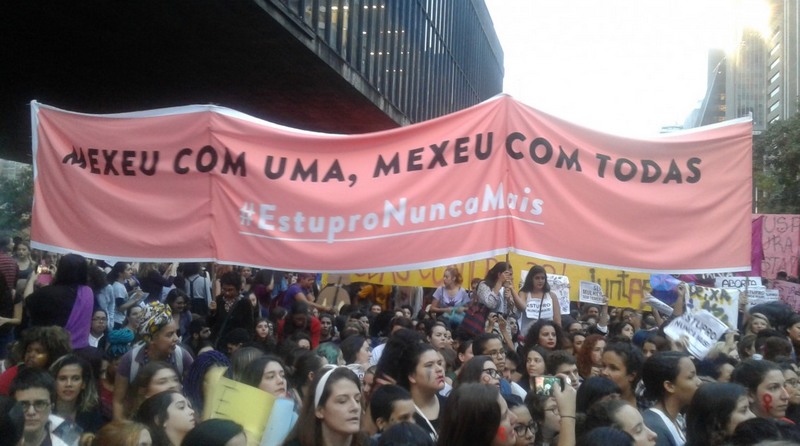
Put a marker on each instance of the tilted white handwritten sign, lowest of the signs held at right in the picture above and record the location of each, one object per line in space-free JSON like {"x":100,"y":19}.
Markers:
{"x":699,"y":330}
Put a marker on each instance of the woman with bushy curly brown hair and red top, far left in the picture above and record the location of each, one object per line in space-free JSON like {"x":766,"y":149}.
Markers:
{"x":38,"y":348}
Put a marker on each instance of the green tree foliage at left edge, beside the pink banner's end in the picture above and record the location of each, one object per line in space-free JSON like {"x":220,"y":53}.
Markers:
{"x":16,"y":201}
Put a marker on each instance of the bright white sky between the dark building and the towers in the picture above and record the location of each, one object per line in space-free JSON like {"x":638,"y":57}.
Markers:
{"x":626,"y":67}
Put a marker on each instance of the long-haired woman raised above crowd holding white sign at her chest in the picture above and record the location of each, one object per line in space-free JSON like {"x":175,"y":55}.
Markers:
{"x":536,"y":301}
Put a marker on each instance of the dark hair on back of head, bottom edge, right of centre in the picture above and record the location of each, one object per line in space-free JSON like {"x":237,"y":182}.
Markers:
{"x":471,"y":416}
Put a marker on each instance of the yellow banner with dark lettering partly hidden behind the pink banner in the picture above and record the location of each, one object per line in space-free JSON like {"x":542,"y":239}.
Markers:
{"x":623,"y":288}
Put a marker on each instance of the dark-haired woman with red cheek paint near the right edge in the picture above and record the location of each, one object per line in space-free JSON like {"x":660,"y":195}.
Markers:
{"x":765,"y":383}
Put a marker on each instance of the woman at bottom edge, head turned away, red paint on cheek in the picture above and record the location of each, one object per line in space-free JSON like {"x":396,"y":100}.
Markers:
{"x":477,"y":415}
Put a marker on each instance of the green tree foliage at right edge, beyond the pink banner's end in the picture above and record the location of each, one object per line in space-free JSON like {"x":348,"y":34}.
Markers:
{"x":776,"y":164}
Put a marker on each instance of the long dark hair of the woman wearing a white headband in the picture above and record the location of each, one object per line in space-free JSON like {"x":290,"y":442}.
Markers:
{"x":308,"y":429}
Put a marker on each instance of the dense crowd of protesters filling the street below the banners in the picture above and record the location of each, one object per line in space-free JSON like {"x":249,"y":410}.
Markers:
{"x":101,"y":353}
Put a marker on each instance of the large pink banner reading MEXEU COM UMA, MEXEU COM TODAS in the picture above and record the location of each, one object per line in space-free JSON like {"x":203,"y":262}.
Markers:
{"x":209,"y":183}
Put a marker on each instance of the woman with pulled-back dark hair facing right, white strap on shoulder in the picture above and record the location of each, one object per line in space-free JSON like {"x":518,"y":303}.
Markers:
{"x":670,"y":380}
